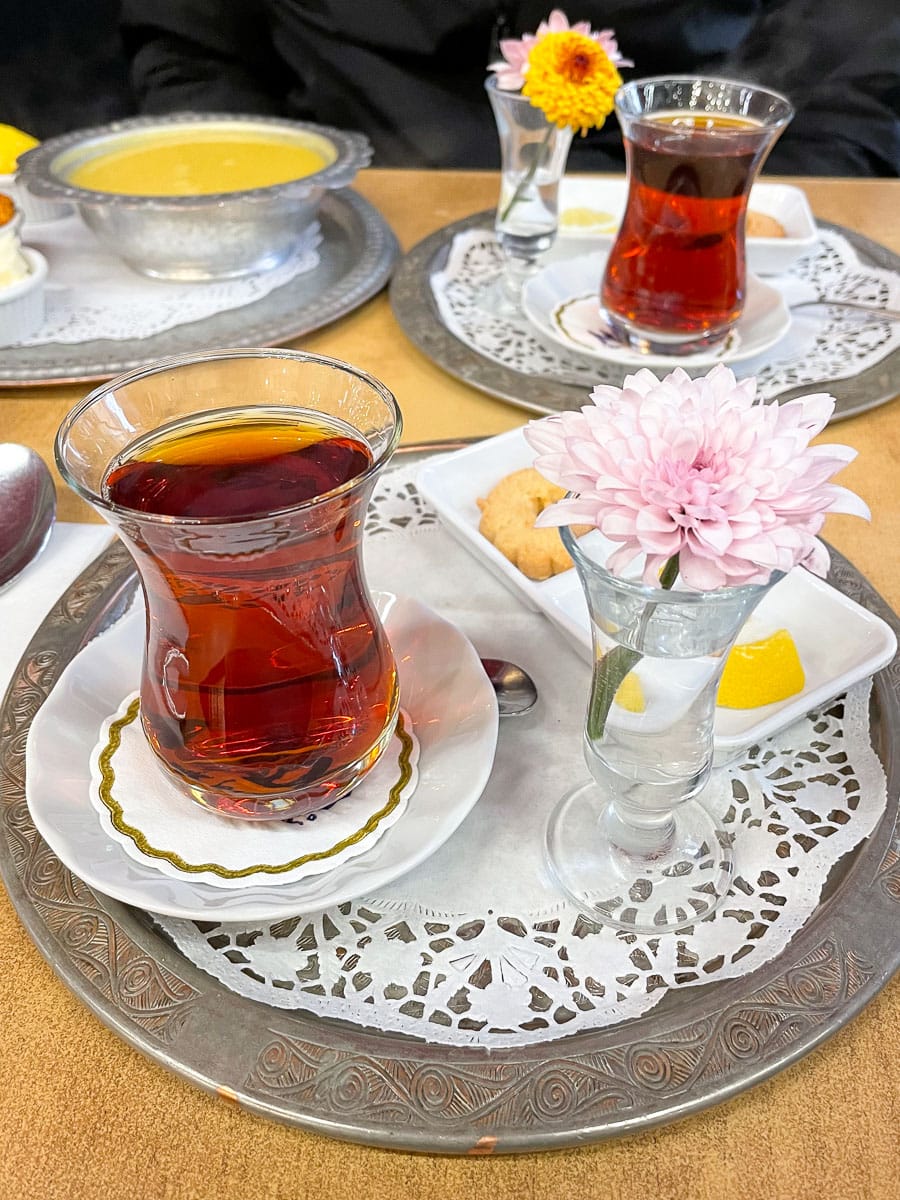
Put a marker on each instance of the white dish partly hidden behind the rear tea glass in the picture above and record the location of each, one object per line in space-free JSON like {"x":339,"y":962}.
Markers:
{"x":583,"y":196}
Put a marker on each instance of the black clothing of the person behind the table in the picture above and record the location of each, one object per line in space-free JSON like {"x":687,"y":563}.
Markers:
{"x":411,"y":73}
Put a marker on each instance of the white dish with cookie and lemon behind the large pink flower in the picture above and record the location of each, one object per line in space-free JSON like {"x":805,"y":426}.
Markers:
{"x":839,"y":641}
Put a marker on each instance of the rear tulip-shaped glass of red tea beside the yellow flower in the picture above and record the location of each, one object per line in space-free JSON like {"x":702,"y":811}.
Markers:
{"x":676,"y":278}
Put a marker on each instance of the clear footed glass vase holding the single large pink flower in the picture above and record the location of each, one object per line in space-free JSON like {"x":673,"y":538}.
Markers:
{"x":635,"y":848}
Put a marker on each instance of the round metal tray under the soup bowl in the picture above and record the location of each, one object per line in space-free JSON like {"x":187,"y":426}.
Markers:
{"x":357,"y":255}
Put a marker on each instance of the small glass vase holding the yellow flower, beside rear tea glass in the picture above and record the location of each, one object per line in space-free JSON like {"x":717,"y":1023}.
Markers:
{"x":533,"y":154}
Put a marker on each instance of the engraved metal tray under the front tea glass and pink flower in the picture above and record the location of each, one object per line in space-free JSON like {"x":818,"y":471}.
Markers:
{"x":697,"y":1048}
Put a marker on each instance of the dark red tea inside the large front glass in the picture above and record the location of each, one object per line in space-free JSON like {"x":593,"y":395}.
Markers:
{"x":269,"y":671}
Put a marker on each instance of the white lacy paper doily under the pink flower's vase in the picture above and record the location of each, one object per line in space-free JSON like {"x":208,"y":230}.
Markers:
{"x":476,"y":946}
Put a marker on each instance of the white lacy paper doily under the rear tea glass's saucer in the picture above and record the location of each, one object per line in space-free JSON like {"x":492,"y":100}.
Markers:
{"x":823,"y":344}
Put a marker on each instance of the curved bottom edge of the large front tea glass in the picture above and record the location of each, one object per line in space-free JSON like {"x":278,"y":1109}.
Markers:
{"x":292,"y":802}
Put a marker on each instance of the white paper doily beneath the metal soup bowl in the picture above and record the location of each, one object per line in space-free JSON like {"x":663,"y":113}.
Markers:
{"x":93,"y":296}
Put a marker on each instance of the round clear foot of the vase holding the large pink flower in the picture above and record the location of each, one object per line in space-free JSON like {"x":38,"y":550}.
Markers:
{"x":681,"y":884}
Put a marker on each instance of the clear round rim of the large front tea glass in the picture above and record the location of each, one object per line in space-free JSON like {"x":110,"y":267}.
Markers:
{"x":181,"y":361}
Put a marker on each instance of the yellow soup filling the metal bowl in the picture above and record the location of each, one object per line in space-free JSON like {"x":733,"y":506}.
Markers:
{"x":197,"y":165}
